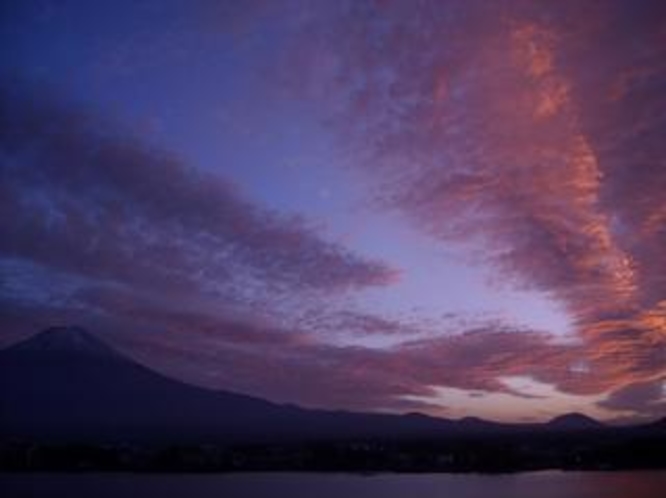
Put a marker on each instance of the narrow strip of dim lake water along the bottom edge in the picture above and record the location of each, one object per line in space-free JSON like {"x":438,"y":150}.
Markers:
{"x":550,"y":484}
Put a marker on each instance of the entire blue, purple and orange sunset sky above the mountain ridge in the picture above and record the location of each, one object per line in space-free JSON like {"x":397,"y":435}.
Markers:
{"x":454,"y":207}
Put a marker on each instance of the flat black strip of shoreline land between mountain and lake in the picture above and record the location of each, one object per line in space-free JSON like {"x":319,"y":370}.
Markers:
{"x":606,"y":449}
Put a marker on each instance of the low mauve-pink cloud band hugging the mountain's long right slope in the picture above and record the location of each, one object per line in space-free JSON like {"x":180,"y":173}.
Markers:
{"x":291,"y":367}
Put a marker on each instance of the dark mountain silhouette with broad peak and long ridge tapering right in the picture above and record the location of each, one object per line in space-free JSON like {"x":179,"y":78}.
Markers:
{"x":65,"y":384}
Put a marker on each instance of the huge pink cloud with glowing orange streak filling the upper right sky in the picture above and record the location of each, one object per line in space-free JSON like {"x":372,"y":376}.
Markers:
{"x":528,"y":135}
